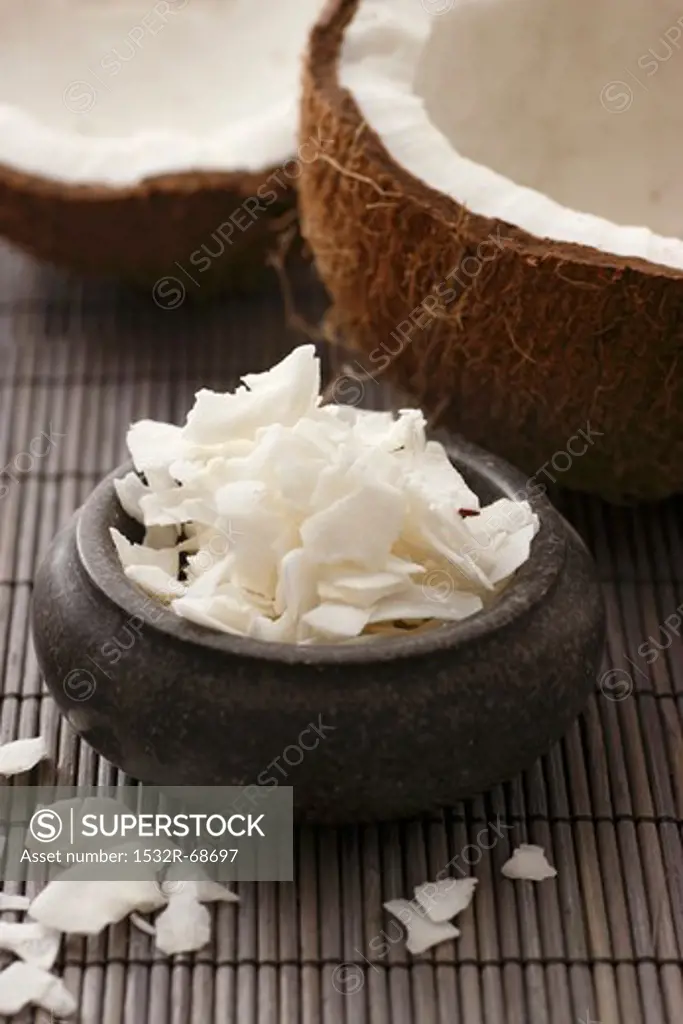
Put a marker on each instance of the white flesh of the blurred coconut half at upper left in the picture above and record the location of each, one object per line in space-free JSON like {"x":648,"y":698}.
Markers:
{"x":99,"y":93}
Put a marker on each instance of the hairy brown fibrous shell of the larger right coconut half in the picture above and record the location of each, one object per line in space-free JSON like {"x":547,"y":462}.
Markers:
{"x":544,"y":342}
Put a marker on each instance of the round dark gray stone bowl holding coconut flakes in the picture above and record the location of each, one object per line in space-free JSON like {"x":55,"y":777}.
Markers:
{"x":376,"y":732}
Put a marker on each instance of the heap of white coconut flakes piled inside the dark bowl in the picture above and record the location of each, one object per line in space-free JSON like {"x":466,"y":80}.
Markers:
{"x":292,"y":521}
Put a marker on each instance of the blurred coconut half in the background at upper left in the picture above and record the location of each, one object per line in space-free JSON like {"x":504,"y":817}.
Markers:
{"x":141,"y":136}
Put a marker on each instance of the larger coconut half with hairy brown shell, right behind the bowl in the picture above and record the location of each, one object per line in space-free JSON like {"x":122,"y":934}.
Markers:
{"x":498,"y":221}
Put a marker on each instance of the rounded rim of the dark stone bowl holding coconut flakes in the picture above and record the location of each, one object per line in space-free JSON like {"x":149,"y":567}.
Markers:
{"x":529,"y":587}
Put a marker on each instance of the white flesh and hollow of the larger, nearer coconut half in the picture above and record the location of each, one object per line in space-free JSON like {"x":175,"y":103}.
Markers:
{"x":563,"y":119}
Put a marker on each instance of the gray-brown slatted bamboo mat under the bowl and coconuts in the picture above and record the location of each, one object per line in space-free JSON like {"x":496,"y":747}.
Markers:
{"x":602,"y":944}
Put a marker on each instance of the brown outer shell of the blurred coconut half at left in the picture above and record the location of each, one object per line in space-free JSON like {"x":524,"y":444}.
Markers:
{"x":149,"y":233}
